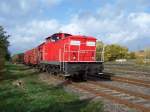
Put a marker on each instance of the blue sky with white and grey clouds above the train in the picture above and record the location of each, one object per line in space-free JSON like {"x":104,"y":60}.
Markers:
{"x":126,"y":22}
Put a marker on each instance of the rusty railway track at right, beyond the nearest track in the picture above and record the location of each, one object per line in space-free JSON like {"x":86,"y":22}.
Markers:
{"x":131,"y":81}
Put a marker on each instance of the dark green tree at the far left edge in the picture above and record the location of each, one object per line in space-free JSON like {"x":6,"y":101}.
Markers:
{"x":4,"y":44}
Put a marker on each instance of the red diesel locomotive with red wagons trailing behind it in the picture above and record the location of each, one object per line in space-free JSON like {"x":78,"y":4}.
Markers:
{"x":70,"y":55}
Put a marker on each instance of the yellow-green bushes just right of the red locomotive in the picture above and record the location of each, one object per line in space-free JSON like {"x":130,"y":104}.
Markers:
{"x":113,"y":52}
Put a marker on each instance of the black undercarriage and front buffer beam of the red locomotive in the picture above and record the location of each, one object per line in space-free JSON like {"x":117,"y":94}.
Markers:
{"x":75,"y":70}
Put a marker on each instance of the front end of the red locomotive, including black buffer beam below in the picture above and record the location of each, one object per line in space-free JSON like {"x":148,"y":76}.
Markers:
{"x":79,"y":57}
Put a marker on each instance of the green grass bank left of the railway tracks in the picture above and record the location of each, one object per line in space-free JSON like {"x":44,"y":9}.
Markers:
{"x":37,"y":96}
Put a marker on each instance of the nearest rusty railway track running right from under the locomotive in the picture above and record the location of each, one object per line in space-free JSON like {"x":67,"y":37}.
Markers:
{"x":117,"y":95}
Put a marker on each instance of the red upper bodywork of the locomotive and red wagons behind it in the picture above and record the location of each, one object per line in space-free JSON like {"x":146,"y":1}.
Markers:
{"x":63,"y":47}
